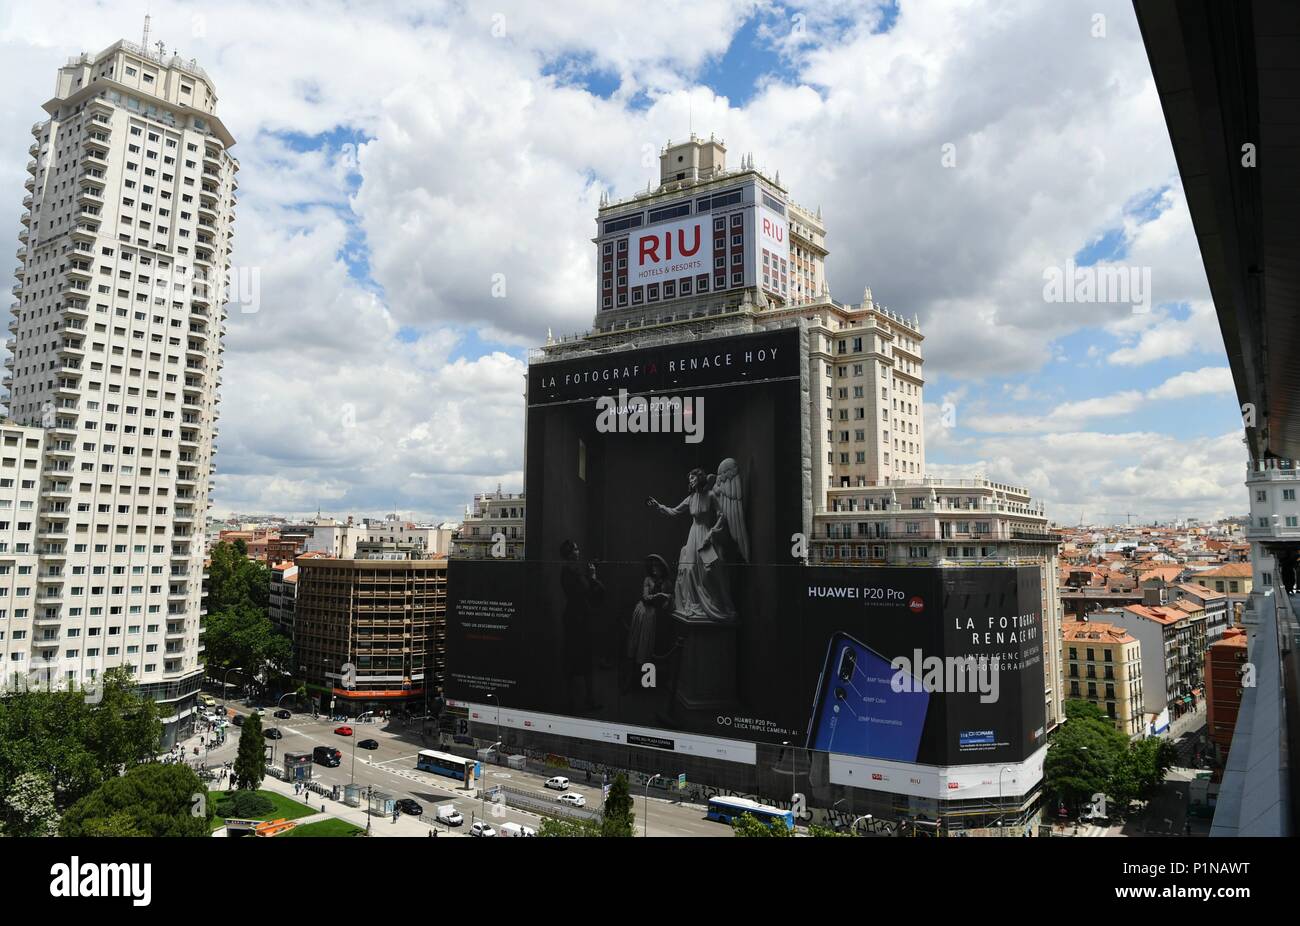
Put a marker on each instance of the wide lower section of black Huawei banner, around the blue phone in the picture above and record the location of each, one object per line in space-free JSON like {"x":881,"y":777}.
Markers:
{"x":895,"y":664}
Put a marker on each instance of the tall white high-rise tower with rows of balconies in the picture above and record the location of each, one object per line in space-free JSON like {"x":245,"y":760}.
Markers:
{"x":115,"y":360}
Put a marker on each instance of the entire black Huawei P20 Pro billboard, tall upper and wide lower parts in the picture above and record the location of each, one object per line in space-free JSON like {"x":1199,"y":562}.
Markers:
{"x":660,"y":591}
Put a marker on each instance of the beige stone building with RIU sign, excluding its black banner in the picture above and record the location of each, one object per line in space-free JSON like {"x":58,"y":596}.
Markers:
{"x":714,"y":253}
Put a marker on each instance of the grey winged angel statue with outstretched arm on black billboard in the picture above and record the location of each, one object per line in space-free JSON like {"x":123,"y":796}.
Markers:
{"x":717,"y":538}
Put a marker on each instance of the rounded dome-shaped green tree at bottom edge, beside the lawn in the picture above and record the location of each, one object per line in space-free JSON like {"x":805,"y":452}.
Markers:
{"x":150,"y":800}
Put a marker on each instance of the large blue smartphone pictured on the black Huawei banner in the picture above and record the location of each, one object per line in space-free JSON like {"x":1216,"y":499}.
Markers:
{"x":859,"y":713}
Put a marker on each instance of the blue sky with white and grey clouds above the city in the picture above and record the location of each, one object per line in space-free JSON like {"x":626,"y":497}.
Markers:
{"x":419,"y":184}
